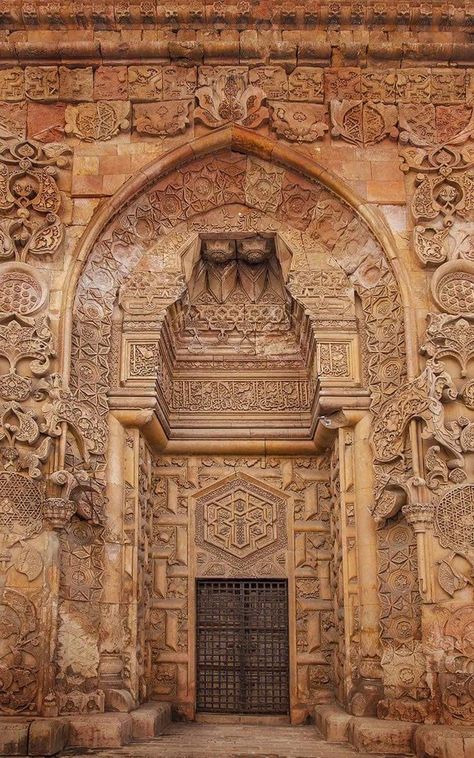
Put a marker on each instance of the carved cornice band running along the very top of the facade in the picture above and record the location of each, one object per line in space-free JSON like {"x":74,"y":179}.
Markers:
{"x":150,"y":14}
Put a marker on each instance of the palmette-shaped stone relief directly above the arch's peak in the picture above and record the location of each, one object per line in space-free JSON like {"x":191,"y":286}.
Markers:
{"x":229,"y":100}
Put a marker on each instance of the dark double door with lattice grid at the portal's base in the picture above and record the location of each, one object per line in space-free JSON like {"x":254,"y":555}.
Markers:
{"x":242,"y":646}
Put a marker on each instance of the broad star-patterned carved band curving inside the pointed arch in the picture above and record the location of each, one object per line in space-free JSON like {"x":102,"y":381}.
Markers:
{"x":213,"y":194}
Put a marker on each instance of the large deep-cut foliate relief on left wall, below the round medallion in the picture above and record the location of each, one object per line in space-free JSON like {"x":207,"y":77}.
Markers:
{"x":34,"y":411}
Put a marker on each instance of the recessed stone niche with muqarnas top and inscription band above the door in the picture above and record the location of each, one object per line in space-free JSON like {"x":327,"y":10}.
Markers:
{"x":227,"y":343}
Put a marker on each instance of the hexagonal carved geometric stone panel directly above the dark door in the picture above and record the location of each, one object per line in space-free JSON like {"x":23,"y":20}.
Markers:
{"x":241,"y":521}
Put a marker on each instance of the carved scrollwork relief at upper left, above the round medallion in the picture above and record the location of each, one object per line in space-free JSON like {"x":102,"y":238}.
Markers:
{"x":30,"y":200}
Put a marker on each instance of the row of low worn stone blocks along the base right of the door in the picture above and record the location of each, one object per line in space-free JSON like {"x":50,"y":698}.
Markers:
{"x":380,"y":736}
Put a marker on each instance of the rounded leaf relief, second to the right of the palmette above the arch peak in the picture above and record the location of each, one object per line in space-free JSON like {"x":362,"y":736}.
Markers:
{"x":363,"y":123}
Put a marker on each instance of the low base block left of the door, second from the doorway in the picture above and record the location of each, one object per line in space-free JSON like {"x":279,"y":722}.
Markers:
{"x":103,"y":730}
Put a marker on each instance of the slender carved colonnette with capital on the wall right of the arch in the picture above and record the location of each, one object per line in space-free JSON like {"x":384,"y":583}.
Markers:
{"x":419,"y":512}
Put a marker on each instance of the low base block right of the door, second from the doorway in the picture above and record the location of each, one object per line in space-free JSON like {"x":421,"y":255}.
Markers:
{"x":379,"y":736}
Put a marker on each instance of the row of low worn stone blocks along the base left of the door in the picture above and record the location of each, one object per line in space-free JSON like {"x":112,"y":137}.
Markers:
{"x":50,"y":736}
